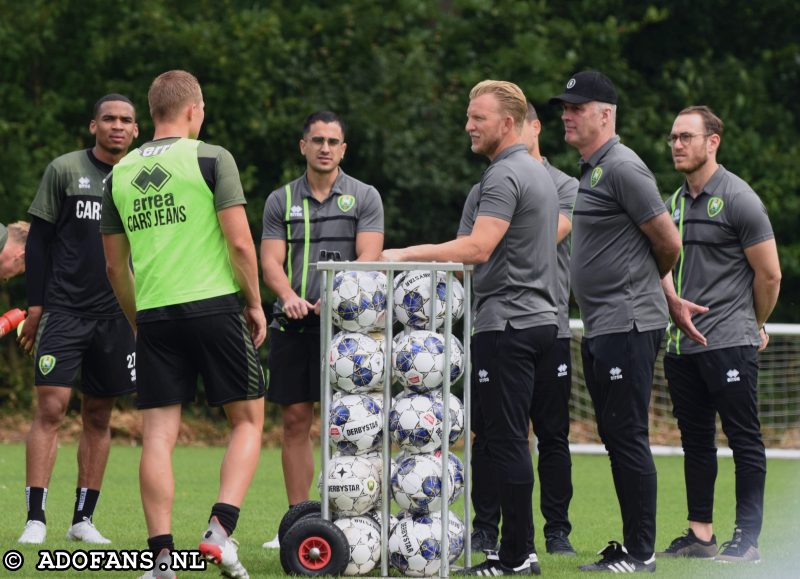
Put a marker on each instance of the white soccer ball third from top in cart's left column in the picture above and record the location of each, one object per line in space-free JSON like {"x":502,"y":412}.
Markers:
{"x":356,"y":424}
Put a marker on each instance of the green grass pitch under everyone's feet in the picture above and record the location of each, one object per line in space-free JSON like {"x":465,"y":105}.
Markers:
{"x":594,"y":512}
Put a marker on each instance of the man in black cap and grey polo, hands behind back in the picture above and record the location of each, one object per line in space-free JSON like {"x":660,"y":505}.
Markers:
{"x":623,"y":243}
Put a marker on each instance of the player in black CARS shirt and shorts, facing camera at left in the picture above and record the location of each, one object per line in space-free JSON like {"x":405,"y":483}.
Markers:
{"x":74,"y":322}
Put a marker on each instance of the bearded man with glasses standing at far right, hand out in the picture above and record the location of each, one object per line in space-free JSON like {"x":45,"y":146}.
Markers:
{"x":729,"y":276}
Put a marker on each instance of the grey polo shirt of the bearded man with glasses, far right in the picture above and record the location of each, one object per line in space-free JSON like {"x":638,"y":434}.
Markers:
{"x":716,"y":227}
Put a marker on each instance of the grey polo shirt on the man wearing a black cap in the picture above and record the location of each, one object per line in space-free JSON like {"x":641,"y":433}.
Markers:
{"x":614,"y":276}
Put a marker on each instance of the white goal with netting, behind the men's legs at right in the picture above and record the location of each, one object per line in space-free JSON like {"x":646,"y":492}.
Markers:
{"x":778,"y":399}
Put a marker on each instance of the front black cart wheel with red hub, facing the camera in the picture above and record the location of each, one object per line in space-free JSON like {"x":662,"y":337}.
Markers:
{"x":314,"y":547}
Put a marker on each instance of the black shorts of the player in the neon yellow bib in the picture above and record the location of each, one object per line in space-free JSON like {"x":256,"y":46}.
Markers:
{"x":218,"y":347}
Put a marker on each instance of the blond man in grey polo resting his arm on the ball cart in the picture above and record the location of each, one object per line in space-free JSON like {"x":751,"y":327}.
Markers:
{"x":509,"y":234}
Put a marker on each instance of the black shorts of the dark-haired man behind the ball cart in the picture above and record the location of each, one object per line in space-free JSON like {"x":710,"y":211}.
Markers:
{"x":294,"y":367}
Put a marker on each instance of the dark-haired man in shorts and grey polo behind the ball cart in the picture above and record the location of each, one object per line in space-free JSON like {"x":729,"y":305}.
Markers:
{"x":324,"y":209}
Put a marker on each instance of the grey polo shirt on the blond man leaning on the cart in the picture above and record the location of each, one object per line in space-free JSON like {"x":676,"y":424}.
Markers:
{"x":518,"y":284}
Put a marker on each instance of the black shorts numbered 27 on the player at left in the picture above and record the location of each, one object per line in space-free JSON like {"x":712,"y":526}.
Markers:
{"x":103,"y":351}
